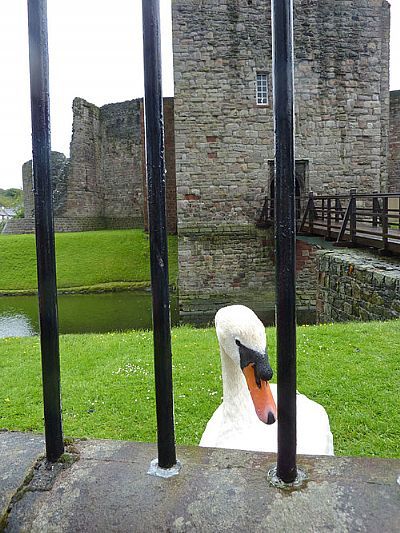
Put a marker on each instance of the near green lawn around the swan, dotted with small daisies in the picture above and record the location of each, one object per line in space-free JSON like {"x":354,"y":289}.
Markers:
{"x":352,"y":369}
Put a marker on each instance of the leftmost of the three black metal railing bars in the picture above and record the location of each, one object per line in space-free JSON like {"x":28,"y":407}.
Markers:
{"x":45,"y":247}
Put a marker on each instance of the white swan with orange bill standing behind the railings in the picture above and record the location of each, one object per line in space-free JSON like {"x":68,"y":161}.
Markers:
{"x":246,"y":418}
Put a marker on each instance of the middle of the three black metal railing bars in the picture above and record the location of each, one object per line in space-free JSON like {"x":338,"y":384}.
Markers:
{"x":155,"y":165}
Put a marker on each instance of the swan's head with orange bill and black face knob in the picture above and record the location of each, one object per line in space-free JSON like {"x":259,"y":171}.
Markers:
{"x":241,"y":335}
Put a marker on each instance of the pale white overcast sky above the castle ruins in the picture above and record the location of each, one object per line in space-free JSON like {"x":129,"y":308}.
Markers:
{"x":96,"y":53}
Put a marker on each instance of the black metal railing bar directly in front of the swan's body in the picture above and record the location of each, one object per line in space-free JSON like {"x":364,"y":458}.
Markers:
{"x":285,"y":224}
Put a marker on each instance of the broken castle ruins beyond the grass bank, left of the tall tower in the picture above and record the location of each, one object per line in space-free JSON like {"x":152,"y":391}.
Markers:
{"x":102,"y":184}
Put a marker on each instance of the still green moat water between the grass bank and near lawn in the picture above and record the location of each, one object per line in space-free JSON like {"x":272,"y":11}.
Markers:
{"x":82,"y":313}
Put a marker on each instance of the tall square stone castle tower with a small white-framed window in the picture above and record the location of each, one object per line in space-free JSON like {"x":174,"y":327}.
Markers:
{"x":224,"y":140}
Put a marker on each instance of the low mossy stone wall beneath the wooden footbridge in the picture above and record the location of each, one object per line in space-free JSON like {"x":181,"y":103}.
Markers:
{"x":355,"y":285}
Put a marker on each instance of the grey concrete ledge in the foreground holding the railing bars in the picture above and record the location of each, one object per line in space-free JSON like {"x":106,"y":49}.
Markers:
{"x":108,"y":489}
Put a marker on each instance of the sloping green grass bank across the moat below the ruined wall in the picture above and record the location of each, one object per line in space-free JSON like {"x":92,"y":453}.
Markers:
{"x":105,"y":259}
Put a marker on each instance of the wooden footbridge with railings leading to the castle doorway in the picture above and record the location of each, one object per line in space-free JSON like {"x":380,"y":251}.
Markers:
{"x":369,"y":220}
